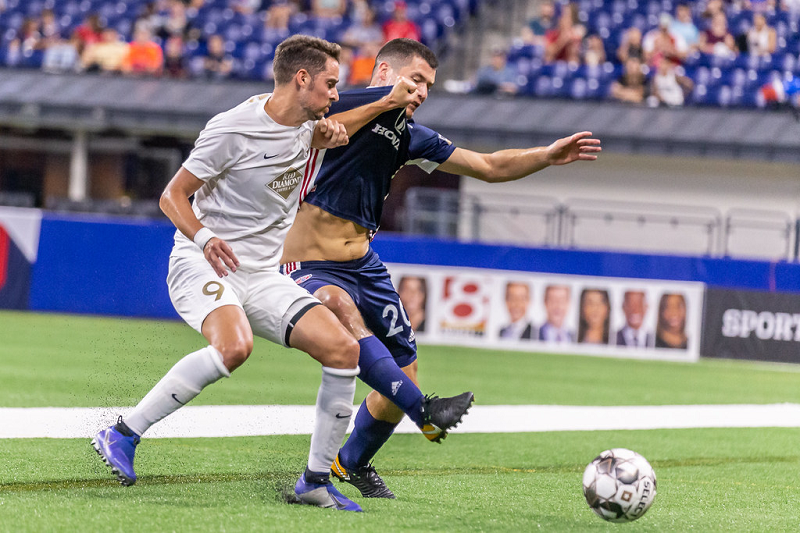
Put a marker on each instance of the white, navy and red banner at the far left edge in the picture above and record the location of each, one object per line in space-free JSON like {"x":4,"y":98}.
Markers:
{"x":19,"y":245}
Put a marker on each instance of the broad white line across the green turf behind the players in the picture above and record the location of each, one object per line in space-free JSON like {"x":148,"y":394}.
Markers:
{"x":253,"y":420}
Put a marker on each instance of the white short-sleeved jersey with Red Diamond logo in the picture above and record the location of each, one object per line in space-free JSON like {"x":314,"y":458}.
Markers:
{"x":253,"y":168}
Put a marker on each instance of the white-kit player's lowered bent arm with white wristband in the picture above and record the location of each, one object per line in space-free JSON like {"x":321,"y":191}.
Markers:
{"x":175,"y":204}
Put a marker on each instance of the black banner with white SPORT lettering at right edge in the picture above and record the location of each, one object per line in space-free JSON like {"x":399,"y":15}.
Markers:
{"x":752,"y":325}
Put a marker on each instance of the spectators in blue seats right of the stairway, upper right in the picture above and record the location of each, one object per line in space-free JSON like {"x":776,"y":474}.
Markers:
{"x":656,"y":52}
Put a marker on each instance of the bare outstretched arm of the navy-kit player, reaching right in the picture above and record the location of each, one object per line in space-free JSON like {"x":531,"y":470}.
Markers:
{"x":509,"y":165}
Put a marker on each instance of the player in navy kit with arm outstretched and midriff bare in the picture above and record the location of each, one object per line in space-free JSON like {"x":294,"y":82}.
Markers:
{"x":327,"y":250}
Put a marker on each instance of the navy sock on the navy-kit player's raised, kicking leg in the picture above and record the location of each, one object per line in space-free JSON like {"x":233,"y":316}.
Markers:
{"x":379,"y":370}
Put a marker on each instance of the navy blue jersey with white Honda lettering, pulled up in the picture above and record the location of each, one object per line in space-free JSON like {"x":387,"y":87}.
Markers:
{"x":352,"y":181}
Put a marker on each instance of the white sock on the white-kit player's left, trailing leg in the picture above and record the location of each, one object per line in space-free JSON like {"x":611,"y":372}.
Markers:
{"x":178,"y":387}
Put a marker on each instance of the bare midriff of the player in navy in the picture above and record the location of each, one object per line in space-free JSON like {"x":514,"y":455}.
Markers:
{"x":316,"y":235}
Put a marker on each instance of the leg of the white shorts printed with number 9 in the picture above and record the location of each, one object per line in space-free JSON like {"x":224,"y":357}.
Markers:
{"x":196,"y":291}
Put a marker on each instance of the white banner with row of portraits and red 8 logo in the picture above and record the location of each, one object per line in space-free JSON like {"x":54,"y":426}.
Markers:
{"x":536,"y":312}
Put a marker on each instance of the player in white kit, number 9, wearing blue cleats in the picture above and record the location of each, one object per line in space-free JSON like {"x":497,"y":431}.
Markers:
{"x":246,"y":172}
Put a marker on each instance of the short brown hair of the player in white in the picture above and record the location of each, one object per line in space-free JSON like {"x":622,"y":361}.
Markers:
{"x":300,"y":52}
